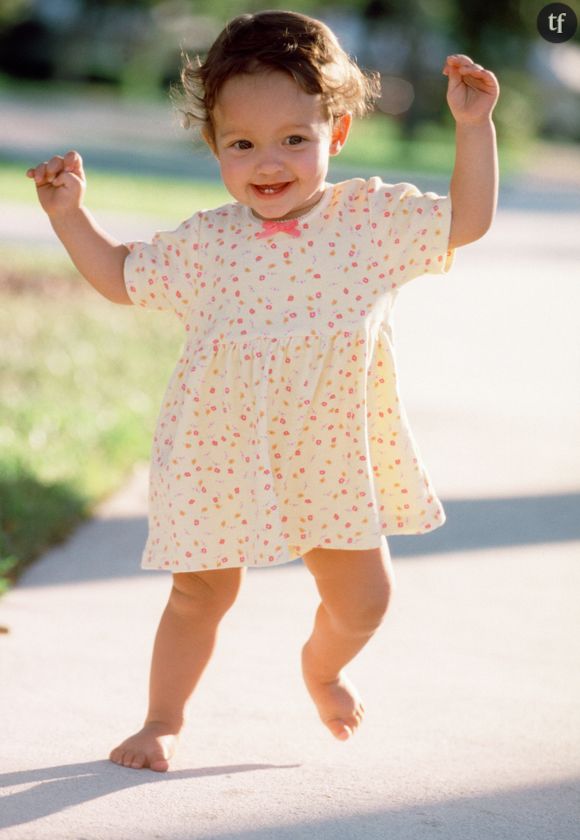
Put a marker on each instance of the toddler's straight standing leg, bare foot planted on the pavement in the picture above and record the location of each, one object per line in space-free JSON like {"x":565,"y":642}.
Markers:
{"x":183,"y":646}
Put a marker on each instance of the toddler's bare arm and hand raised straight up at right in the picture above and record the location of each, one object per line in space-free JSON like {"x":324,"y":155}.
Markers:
{"x":472,"y":95}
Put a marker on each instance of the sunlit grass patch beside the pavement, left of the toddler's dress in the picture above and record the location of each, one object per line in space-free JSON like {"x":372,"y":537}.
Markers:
{"x":81,"y":383}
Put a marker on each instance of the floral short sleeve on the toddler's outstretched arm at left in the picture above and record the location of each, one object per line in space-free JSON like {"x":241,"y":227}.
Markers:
{"x":164,"y":273}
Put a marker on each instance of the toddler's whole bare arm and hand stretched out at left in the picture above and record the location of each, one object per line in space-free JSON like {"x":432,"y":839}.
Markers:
{"x":60,"y":185}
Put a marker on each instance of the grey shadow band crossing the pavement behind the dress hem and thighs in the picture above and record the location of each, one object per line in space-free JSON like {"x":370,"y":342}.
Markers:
{"x":111,"y":548}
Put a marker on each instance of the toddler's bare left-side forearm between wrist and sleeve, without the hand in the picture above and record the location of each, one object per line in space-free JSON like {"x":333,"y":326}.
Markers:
{"x":98,"y":257}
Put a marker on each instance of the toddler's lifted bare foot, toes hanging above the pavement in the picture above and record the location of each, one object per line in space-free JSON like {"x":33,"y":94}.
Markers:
{"x":339,"y":704}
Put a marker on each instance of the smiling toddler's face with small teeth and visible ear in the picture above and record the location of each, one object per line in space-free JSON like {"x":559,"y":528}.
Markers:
{"x":273,"y":144}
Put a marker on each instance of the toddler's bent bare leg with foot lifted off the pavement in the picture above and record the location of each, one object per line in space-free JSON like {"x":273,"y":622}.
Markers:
{"x":355,"y":587}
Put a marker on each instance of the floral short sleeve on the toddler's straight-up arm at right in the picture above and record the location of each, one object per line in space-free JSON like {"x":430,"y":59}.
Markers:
{"x":410,"y":229}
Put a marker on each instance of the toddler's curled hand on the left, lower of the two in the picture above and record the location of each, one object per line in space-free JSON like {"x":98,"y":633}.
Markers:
{"x":60,"y":183}
